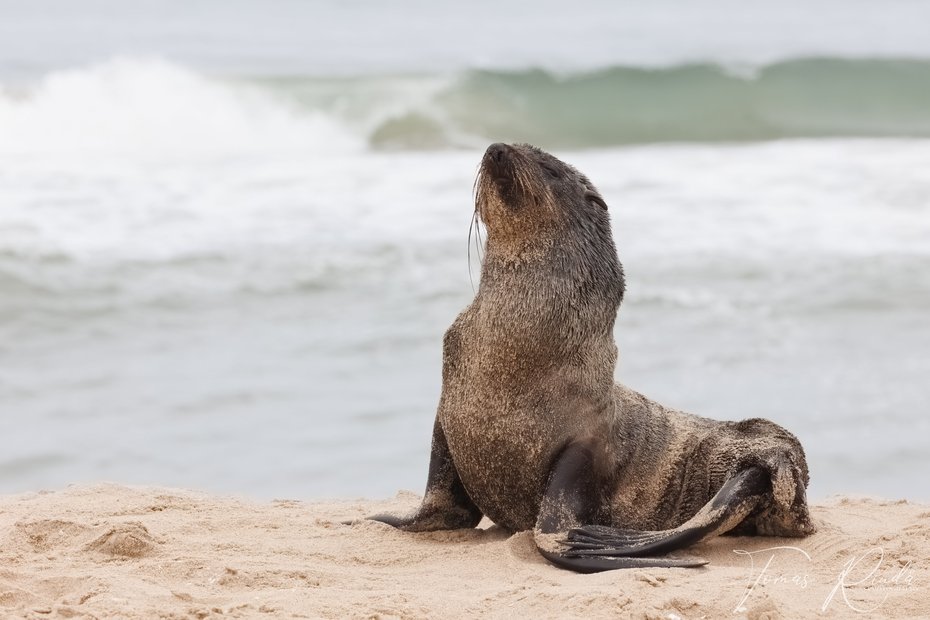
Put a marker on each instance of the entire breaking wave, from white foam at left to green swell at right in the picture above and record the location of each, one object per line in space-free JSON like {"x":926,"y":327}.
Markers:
{"x":153,"y":106}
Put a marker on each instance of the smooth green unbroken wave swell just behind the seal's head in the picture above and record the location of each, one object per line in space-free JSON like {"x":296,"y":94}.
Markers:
{"x":809,"y":98}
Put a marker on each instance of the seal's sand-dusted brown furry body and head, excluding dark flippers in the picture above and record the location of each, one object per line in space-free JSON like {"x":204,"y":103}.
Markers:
{"x":529,"y":365}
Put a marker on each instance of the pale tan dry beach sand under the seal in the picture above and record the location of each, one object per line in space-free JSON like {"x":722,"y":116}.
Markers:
{"x":114,"y":551}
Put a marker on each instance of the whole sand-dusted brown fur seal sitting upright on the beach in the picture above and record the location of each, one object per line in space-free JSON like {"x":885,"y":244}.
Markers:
{"x":531,"y":430}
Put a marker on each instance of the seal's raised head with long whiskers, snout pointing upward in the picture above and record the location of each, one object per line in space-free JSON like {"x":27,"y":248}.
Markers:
{"x":530,"y":200}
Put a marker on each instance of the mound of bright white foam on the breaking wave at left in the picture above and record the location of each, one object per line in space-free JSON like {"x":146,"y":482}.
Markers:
{"x":153,"y":108}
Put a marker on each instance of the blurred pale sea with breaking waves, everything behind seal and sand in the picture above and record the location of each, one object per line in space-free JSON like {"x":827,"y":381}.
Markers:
{"x":232,"y":232}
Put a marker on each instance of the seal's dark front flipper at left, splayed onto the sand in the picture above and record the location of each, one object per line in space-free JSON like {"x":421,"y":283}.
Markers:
{"x":445,"y":505}
